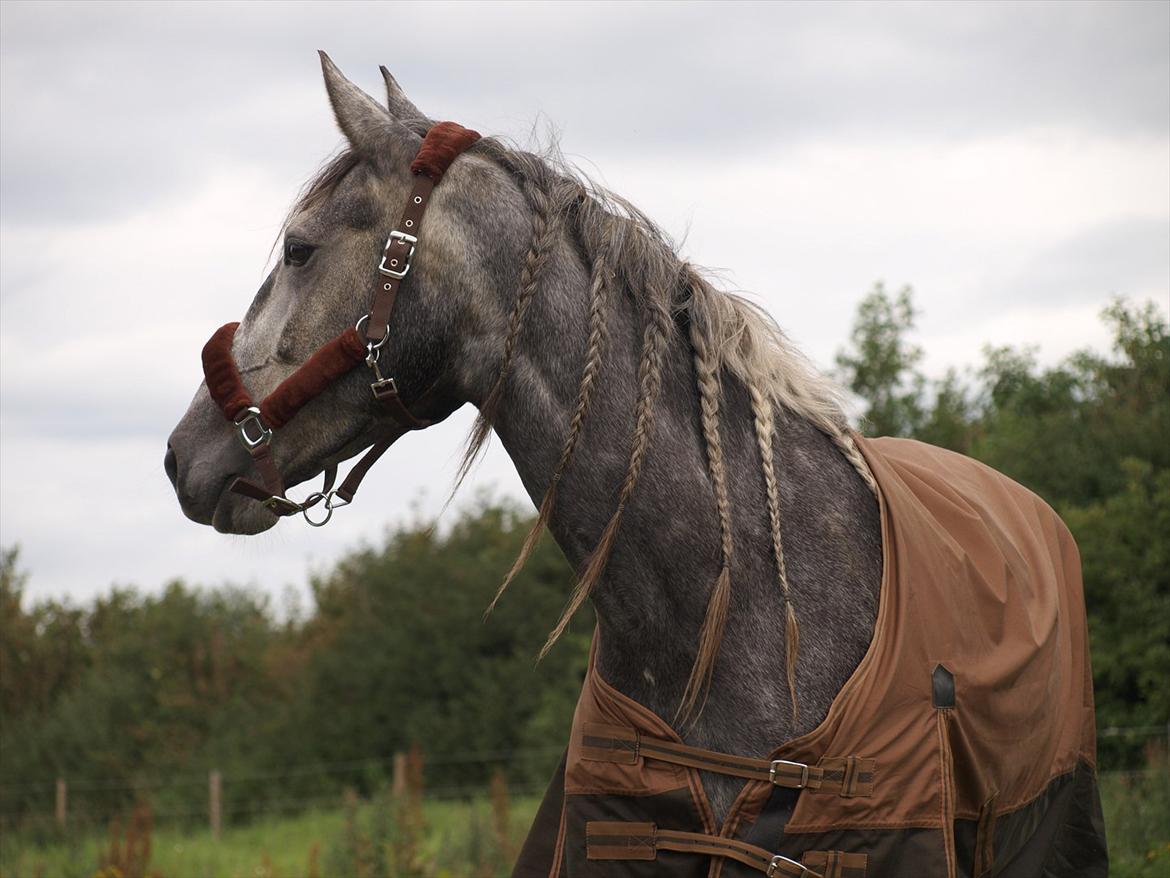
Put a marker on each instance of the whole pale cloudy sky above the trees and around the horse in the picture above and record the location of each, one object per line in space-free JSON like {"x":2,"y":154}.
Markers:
{"x":1011,"y":162}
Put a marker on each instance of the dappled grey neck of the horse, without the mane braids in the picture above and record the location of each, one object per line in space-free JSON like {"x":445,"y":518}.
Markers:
{"x":653,"y":595}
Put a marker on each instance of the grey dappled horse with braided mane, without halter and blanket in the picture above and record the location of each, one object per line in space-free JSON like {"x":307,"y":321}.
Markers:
{"x":667,"y":431}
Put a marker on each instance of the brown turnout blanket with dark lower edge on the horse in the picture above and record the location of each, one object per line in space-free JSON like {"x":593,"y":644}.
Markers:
{"x":963,"y":744}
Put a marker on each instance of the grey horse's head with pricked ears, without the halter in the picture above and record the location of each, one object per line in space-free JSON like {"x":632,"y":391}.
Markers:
{"x":449,"y":323}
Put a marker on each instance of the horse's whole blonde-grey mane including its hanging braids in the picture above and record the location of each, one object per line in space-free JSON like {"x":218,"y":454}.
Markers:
{"x":731,"y":340}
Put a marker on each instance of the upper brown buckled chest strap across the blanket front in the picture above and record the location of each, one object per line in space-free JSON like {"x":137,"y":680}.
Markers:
{"x":845,"y":776}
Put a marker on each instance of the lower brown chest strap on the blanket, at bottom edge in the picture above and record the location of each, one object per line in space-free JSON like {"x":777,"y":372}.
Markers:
{"x":623,"y":840}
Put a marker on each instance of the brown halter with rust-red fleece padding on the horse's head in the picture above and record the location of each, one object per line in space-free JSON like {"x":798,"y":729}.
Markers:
{"x":256,"y":423}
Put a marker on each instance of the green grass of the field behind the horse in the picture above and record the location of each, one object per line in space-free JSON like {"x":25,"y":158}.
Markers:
{"x":463,"y":839}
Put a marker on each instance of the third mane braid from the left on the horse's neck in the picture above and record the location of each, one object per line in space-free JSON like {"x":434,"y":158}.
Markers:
{"x":656,"y":338}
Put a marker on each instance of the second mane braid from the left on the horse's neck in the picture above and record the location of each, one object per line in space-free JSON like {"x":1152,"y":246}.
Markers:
{"x":601,"y":290}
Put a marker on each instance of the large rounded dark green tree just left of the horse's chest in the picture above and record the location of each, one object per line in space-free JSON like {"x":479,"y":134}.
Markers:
{"x":409,"y":642}
